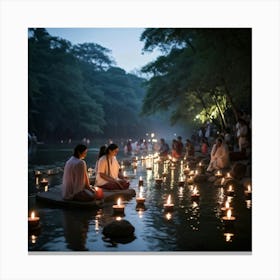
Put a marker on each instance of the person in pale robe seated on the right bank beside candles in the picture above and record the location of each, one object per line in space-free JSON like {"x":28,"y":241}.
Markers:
{"x":219,"y":156}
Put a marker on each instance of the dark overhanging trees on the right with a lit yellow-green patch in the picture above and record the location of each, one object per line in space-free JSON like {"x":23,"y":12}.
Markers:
{"x":203,"y":75}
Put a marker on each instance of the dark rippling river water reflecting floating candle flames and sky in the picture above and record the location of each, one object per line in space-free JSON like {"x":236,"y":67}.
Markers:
{"x":193,"y":226}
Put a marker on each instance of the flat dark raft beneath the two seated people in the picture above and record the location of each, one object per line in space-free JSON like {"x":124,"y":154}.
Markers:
{"x":54,"y":197}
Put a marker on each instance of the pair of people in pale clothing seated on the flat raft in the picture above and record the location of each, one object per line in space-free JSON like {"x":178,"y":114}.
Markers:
{"x":75,"y":182}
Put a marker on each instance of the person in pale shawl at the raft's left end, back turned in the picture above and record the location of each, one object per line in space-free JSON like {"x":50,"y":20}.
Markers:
{"x":75,"y":183}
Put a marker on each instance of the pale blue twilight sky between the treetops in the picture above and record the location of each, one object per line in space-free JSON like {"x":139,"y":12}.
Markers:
{"x":124,"y":43}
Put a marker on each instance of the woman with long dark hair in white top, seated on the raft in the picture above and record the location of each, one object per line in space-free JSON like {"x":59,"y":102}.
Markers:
{"x":108,"y":171}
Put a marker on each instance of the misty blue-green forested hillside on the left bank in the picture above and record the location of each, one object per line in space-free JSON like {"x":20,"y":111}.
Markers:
{"x":74,"y":91}
